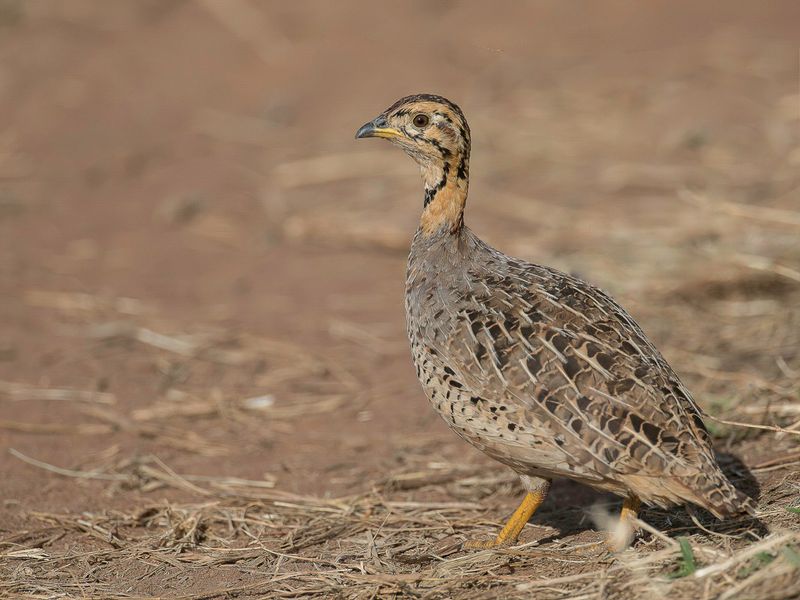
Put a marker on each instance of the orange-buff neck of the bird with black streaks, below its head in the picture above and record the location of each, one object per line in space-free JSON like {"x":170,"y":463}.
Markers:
{"x":446,"y":186}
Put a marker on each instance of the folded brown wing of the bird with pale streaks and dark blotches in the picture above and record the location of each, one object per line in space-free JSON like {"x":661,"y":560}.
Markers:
{"x":576,"y":366}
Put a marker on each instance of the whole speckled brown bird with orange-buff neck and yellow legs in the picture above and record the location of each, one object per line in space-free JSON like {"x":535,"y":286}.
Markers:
{"x":536,"y":368}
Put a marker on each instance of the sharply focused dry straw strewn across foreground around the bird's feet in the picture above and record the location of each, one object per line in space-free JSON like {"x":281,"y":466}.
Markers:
{"x":262,"y":542}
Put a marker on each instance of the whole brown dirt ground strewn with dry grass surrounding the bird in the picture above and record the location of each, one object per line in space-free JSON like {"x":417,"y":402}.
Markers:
{"x":205,"y":387}
